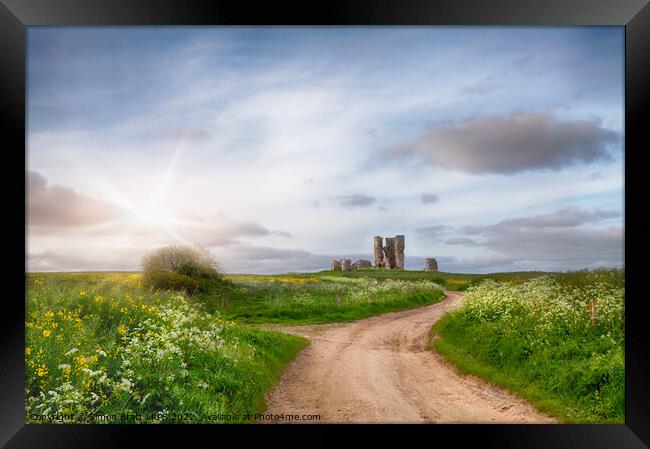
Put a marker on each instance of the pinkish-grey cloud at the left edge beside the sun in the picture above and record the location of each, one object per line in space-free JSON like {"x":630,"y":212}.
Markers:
{"x":52,"y":206}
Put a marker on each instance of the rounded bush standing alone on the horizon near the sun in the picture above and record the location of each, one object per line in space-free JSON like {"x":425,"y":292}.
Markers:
{"x":189,"y":268}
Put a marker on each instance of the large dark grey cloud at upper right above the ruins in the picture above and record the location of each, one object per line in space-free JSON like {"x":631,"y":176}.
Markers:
{"x":510,"y":144}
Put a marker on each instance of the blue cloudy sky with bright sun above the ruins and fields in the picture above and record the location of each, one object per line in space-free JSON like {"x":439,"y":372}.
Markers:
{"x":282,"y":148}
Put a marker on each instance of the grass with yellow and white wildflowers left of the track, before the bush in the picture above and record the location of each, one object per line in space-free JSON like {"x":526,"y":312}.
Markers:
{"x":97,"y":343}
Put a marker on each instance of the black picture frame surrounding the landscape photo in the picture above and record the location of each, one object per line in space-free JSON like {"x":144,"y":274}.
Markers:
{"x":634,"y":15}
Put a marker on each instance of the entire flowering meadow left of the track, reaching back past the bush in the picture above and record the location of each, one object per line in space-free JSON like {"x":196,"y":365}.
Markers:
{"x":102,"y":348}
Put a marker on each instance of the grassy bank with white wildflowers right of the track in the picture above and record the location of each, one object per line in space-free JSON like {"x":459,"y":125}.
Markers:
{"x":536,"y":338}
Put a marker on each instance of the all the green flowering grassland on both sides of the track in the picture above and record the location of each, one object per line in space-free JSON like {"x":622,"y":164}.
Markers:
{"x":101,"y":344}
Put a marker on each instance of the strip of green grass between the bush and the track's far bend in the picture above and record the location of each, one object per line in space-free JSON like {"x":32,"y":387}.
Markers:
{"x":302,"y":299}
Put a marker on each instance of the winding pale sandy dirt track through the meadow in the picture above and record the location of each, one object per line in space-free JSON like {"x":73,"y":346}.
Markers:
{"x":378,"y":370}
